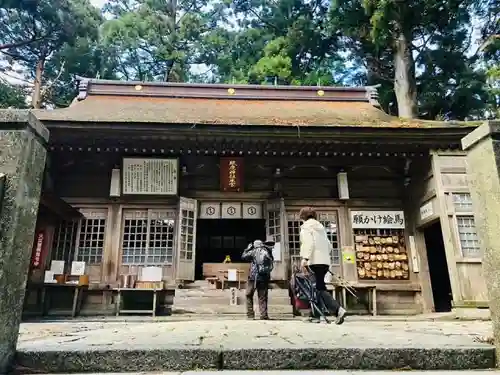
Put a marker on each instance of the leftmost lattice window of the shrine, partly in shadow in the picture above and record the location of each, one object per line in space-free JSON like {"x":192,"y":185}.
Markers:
{"x":59,"y":252}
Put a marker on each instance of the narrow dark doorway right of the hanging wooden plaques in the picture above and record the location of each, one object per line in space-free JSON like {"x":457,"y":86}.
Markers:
{"x":438,"y":268}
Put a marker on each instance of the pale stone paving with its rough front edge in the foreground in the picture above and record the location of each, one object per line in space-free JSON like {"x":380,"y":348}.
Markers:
{"x":252,"y":345}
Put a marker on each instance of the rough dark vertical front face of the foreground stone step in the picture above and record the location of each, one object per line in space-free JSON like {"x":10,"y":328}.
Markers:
{"x":255,"y":359}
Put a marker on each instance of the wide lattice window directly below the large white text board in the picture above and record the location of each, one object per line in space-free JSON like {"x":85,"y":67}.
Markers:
{"x":148,"y":214}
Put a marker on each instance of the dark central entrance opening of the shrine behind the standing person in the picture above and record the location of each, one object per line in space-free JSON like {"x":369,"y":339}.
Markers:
{"x":215,"y":239}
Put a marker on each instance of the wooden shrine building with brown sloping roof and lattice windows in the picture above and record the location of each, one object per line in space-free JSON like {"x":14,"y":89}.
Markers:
{"x":183,"y":175}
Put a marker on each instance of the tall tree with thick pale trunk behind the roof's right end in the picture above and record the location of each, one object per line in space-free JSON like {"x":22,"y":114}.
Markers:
{"x":394,"y":34}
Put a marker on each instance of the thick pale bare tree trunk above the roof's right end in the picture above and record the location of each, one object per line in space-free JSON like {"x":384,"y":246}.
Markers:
{"x":405,"y":85}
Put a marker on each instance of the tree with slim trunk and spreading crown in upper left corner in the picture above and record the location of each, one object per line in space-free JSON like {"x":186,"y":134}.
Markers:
{"x":32,"y":31}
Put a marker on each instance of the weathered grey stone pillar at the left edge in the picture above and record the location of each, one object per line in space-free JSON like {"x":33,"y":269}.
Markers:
{"x":22,"y":160}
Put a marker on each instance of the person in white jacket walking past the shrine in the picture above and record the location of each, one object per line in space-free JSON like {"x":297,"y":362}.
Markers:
{"x":315,"y":251}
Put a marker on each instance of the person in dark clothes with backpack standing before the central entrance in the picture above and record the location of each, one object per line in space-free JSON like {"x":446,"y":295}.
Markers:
{"x":261,"y":257}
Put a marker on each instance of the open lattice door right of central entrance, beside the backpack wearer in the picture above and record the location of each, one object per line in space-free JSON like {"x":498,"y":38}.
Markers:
{"x":276,"y":231}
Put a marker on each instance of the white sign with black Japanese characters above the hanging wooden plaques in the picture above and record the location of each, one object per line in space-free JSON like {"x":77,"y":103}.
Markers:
{"x":377,"y":219}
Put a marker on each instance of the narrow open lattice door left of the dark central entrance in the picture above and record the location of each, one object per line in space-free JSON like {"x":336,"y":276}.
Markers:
{"x":186,"y":239}
